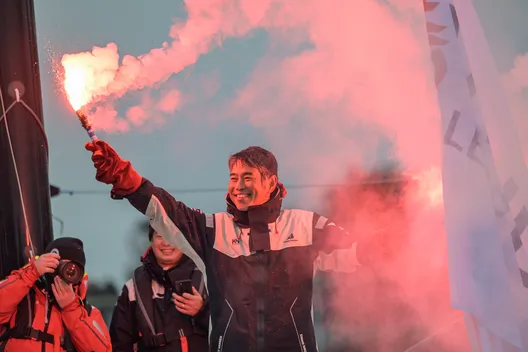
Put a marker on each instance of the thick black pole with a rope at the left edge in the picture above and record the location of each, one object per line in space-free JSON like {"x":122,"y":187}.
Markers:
{"x":24,"y":137}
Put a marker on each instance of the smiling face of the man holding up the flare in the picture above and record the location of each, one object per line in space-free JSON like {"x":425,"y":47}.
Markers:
{"x":247,"y":187}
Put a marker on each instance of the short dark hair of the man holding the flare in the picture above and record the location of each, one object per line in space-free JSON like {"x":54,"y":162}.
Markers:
{"x":256,"y":157}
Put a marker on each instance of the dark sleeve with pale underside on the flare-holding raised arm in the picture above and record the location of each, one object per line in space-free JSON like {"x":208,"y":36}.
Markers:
{"x":179,"y":225}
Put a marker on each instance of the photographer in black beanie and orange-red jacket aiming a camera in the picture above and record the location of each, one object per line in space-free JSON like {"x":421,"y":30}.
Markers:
{"x":44,"y":304}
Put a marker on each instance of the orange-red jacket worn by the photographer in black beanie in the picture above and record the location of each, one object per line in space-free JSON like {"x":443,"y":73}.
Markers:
{"x":36,"y":325}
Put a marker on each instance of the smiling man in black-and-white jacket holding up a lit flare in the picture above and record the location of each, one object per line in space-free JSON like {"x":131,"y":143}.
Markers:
{"x":258,"y":258}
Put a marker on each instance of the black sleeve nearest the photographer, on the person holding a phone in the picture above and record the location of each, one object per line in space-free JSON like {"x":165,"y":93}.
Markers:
{"x":123,"y":326}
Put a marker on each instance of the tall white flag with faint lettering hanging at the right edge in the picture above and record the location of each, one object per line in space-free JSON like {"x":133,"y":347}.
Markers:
{"x":485,"y":182}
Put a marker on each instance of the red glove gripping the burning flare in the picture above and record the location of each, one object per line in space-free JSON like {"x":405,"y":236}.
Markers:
{"x":111,"y":169}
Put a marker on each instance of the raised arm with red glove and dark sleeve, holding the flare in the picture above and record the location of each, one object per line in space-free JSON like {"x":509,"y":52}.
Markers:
{"x":180,"y":226}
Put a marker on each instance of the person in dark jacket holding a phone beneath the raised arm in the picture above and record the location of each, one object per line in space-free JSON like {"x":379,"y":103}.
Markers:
{"x":163,"y":307}
